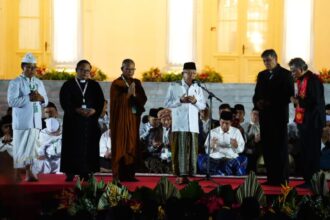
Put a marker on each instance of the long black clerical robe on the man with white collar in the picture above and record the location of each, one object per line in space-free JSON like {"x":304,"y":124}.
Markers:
{"x":81,"y":135}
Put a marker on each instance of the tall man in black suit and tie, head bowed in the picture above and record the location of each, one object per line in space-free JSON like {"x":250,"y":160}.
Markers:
{"x":272,"y":95}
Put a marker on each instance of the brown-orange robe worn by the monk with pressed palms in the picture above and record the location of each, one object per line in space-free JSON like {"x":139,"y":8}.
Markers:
{"x":124,"y":124}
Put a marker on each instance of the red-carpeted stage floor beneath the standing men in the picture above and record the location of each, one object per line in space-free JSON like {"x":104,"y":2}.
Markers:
{"x":50,"y":182}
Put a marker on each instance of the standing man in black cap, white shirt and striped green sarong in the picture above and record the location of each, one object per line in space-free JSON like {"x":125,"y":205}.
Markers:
{"x":185,"y":99}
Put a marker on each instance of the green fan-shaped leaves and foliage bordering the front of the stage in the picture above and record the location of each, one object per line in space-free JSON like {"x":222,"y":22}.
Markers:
{"x":94,"y":196}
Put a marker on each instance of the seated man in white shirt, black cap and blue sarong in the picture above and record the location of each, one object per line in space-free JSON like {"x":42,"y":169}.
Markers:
{"x":225,"y":145}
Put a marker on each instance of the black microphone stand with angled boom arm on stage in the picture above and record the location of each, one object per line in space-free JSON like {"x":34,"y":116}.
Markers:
{"x":210,"y":96}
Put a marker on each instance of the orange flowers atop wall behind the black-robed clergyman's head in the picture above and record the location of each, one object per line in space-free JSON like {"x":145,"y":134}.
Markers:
{"x":44,"y":73}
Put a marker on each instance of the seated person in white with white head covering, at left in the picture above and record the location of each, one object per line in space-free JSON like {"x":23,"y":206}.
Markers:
{"x":49,"y":150}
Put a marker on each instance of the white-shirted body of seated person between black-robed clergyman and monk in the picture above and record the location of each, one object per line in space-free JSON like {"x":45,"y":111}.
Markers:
{"x":105,"y":152}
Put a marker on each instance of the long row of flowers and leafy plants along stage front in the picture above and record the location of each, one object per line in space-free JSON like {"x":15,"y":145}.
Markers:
{"x":96,"y":200}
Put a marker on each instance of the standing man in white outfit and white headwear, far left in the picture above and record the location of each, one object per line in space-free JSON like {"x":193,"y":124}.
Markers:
{"x":26,"y":95}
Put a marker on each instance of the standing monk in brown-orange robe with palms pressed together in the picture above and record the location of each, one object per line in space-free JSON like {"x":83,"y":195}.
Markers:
{"x":127,"y":100}
